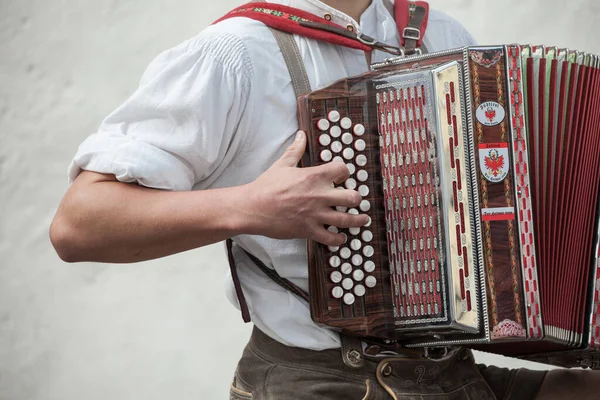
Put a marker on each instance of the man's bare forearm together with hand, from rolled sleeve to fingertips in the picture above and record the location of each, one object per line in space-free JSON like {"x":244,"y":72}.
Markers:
{"x":101,"y":219}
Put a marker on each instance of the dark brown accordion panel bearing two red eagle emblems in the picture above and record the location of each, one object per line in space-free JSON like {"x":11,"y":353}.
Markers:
{"x":501,"y":241}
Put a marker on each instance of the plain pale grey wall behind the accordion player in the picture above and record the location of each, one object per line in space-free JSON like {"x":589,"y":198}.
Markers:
{"x":162,"y":329}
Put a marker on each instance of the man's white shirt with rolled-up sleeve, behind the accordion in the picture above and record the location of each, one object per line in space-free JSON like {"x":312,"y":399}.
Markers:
{"x":217,"y":111}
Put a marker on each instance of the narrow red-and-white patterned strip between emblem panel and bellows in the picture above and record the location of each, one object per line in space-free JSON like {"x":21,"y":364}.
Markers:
{"x":520,"y":158}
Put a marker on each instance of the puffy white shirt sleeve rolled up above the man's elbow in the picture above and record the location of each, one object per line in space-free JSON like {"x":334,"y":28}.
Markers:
{"x":178,"y":127}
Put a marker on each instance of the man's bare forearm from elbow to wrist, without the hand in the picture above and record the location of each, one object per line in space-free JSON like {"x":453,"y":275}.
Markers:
{"x":103,"y":220}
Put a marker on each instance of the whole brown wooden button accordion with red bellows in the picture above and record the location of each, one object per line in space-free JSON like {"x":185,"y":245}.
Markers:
{"x":479,"y":169}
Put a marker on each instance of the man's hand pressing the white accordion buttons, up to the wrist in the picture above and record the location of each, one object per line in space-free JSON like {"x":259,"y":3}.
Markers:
{"x":289,"y":202}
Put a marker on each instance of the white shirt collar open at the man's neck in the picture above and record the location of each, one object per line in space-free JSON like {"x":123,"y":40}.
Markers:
{"x":323,"y":10}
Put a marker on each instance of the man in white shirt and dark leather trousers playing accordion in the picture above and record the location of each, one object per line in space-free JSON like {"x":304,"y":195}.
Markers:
{"x":206,"y":149}
